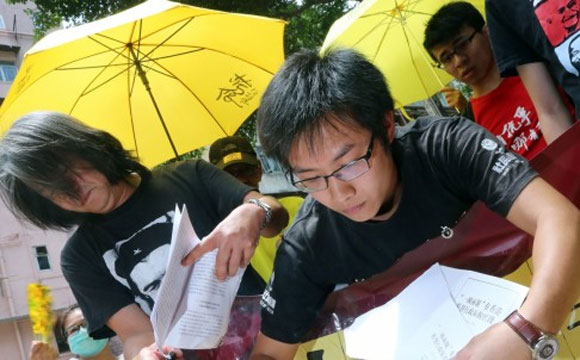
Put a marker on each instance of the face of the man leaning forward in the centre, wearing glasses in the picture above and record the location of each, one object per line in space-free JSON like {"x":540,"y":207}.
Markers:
{"x":336,"y":145}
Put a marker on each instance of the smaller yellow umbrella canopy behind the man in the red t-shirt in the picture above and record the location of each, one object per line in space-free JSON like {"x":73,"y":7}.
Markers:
{"x":390,"y":33}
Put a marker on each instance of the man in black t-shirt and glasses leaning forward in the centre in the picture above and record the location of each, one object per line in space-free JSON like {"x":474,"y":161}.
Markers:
{"x":378,"y":191}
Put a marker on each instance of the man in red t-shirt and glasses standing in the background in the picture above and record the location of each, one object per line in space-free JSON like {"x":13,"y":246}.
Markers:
{"x":457,"y":39}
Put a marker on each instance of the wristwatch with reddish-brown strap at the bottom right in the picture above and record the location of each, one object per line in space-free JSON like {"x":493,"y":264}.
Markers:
{"x":544,"y":346}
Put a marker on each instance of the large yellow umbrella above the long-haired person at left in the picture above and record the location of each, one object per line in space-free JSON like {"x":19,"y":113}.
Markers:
{"x":163,"y":77}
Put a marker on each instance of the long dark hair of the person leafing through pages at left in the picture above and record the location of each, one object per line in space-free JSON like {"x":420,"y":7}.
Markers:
{"x":40,"y":150}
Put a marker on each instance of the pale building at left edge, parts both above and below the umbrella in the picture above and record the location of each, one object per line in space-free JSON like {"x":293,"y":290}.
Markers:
{"x":27,"y":254}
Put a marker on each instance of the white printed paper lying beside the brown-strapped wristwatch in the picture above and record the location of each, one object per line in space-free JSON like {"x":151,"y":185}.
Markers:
{"x":434,"y":317}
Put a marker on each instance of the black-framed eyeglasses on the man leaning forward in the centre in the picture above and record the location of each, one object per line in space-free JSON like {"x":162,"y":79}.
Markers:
{"x":348,"y":172}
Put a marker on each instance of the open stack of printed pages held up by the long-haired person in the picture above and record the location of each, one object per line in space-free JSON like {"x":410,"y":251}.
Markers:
{"x":192,"y":307}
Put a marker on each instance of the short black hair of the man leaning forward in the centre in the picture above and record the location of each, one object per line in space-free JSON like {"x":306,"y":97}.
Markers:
{"x":311,"y":90}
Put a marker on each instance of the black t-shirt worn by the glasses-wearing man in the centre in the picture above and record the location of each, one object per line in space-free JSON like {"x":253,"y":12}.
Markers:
{"x":444,"y":165}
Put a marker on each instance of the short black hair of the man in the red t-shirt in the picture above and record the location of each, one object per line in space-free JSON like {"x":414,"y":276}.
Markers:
{"x":447,"y":22}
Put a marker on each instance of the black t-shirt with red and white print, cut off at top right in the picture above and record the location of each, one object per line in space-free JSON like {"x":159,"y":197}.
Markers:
{"x":528,"y":31}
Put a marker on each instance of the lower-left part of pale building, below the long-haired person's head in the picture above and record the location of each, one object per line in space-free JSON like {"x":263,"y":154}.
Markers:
{"x":27,"y":255}
